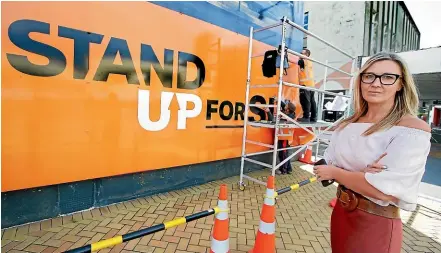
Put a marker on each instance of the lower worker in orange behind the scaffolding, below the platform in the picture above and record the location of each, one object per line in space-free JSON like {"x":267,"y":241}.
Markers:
{"x":285,"y":139}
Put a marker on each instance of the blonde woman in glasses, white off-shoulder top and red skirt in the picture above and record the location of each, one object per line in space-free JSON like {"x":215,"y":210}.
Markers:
{"x":378,"y":157}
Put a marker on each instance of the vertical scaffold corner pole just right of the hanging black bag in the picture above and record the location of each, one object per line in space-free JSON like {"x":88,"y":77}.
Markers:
{"x":279,"y":96}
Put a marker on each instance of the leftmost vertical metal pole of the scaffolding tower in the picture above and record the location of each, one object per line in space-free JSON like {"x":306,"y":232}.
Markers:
{"x":247,"y":94}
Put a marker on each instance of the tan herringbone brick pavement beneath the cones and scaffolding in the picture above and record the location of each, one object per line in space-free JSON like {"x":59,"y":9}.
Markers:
{"x":302,"y":222}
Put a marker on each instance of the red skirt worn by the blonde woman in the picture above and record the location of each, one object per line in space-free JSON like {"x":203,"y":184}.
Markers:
{"x":362,"y":232}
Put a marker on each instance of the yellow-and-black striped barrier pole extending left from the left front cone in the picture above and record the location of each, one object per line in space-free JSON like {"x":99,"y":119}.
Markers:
{"x":143,"y":232}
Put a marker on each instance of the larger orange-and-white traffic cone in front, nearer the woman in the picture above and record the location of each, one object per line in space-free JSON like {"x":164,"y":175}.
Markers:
{"x":266,"y":237}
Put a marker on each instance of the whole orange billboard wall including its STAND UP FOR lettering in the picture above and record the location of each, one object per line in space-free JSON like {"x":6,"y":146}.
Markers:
{"x":92,"y":95}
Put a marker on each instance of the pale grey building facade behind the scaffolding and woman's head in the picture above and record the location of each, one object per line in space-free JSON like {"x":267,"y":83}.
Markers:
{"x":359,"y":28}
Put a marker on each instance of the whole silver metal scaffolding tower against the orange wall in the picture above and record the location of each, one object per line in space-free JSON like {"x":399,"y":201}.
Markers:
{"x":316,"y":127}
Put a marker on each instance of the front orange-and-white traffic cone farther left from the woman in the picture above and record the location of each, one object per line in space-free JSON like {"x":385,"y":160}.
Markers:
{"x":220,"y":242}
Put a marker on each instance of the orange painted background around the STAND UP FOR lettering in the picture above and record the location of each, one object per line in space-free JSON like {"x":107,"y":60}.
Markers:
{"x":60,"y":129}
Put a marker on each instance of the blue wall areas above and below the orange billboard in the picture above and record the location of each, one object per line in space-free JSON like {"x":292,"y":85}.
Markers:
{"x":19,"y":207}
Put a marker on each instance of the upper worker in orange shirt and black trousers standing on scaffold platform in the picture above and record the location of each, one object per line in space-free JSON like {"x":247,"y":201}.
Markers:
{"x":307,"y":99}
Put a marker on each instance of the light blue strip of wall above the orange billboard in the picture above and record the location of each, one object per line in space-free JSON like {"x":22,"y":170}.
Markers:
{"x":239,"y":16}
